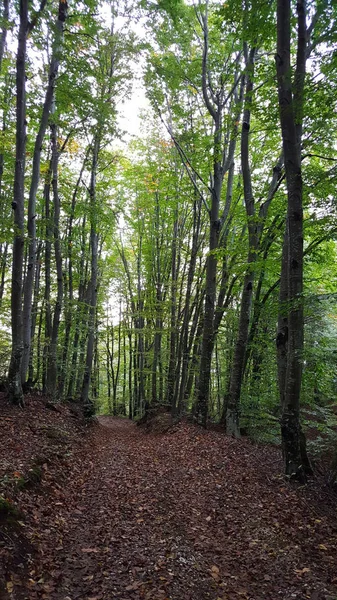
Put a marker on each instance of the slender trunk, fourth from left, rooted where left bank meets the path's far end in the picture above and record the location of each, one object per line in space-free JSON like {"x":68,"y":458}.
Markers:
{"x":94,"y":275}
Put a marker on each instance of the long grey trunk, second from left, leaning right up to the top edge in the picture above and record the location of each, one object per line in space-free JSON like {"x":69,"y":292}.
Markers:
{"x":47,"y":106}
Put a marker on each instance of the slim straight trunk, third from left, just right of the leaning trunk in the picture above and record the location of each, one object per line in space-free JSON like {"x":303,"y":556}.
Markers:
{"x":52,"y":368}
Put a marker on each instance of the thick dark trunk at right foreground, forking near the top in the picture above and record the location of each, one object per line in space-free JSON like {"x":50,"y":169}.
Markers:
{"x":291,"y":107}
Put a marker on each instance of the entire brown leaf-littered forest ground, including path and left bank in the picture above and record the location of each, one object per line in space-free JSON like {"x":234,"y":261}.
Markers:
{"x":115,"y":512}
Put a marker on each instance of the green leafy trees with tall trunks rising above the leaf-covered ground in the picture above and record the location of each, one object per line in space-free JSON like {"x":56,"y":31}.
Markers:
{"x":191,"y":264}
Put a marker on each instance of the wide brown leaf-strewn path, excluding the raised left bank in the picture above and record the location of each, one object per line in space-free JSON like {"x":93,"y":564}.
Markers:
{"x":189,"y":515}
